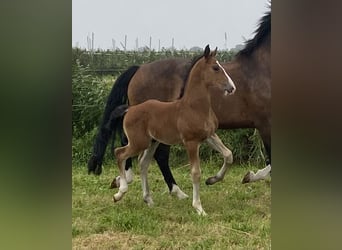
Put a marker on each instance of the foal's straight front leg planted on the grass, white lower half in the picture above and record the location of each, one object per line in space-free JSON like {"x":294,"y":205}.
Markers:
{"x":193,"y":153}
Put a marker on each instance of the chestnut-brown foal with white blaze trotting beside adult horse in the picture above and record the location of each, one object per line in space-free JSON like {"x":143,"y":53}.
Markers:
{"x":189,"y":120}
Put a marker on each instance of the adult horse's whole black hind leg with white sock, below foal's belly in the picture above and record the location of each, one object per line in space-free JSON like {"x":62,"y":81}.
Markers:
{"x":162,"y":157}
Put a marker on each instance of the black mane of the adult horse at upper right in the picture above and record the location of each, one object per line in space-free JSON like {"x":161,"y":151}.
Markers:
{"x":262,"y":32}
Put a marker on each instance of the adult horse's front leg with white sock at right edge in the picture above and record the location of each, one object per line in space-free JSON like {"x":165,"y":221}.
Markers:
{"x":262,"y":174}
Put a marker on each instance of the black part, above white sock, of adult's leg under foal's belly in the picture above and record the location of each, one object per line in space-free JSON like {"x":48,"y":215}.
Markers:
{"x":162,"y":157}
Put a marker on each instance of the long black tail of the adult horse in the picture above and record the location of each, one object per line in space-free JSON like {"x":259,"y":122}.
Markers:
{"x":117,"y":97}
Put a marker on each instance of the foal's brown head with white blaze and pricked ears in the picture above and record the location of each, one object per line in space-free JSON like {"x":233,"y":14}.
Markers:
{"x":214,"y":74}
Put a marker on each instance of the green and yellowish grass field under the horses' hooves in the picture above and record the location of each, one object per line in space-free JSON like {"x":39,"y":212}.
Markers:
{"x":239,"y":216}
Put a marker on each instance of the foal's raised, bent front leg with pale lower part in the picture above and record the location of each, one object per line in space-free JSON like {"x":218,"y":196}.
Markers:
{"x":215,"y":142}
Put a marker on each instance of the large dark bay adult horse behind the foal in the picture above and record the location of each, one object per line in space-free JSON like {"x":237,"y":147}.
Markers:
{"x":249,"y":107}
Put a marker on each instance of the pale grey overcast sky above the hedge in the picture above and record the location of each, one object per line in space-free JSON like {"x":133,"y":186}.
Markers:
{"x":189,"y":22}
